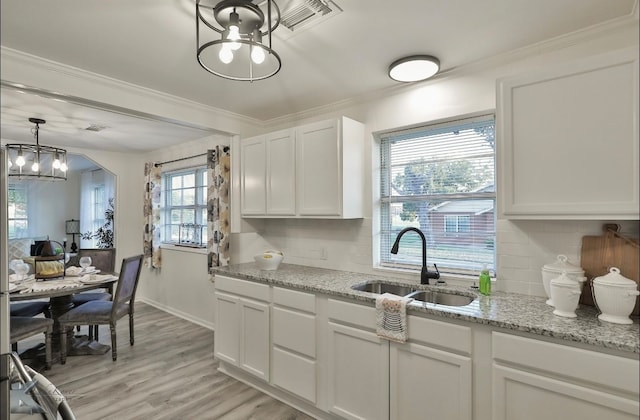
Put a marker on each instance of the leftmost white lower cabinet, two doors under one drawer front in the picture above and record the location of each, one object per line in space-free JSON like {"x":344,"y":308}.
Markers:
{"x":242,"y":325}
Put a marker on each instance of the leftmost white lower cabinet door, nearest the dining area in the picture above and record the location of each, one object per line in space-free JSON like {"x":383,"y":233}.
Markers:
{"x":226,"y":346}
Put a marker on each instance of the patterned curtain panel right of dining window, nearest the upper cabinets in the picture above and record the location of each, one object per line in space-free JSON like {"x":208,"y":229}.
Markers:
{"x":218,"y":216}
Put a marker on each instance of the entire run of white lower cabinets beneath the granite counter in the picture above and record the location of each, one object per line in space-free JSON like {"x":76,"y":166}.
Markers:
{"x":322,"y":355}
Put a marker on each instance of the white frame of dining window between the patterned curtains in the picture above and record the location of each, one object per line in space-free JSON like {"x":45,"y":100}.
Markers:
{"x":199,"y":205}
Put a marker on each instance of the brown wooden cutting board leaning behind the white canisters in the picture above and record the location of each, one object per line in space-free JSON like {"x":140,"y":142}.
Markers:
{"x":599,"y":253}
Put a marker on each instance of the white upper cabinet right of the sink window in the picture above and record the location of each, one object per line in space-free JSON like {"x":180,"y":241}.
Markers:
{"x":568,"y":142}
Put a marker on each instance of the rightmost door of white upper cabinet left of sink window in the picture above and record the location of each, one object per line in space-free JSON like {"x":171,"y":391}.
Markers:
{"x":319,"y":169}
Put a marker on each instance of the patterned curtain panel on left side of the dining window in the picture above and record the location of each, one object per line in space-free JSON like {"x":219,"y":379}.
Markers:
{"x":151,"y":235}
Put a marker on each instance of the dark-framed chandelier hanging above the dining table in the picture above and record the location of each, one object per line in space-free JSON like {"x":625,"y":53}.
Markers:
{"x":31,"y":161}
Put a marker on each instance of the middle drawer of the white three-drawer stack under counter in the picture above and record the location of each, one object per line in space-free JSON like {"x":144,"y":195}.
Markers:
{"x":294,"y":330}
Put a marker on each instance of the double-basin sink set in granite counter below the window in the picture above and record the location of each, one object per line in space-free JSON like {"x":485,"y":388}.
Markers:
{"x":437,"y":297}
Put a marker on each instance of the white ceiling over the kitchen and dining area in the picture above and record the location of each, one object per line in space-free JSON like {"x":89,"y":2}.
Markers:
{"x":151,"y":43}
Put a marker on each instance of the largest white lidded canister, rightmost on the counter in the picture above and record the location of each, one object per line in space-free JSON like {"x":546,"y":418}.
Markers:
{"x":615,"y":296}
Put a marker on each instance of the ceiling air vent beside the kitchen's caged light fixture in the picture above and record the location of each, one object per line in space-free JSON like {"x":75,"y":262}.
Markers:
{"x":297,"y":14}
